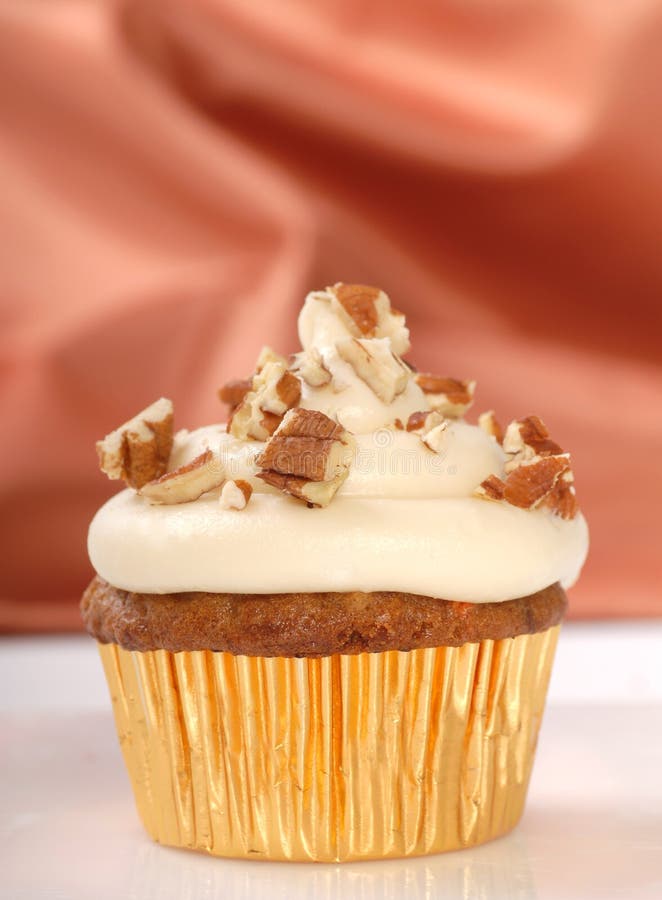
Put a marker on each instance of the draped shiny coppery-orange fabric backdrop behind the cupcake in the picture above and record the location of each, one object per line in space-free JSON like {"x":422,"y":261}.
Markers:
{"x":176,"y":174}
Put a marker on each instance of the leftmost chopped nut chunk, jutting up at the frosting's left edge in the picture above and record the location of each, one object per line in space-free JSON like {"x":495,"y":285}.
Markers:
{"x":139,"y":450}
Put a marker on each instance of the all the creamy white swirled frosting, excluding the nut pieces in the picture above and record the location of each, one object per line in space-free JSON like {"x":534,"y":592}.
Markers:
{"x":405,"y":519}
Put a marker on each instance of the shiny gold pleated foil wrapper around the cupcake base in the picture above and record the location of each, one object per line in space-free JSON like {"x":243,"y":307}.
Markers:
{"x":367,"y":756}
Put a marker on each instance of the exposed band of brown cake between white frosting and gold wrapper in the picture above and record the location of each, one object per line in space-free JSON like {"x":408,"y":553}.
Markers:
{"x":307,"y":624}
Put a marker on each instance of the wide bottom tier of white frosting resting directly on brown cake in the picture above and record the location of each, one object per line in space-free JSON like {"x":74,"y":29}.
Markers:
{"x":458,"y":548}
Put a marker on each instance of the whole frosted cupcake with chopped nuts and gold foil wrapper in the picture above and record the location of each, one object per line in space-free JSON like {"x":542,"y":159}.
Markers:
{"x":328,"y":625}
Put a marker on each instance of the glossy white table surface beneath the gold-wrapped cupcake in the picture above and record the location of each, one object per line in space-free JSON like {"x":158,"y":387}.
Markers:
{"x":592,"y":827}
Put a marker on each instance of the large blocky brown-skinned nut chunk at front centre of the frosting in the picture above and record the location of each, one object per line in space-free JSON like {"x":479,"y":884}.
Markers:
{"x":308,"y":456}
